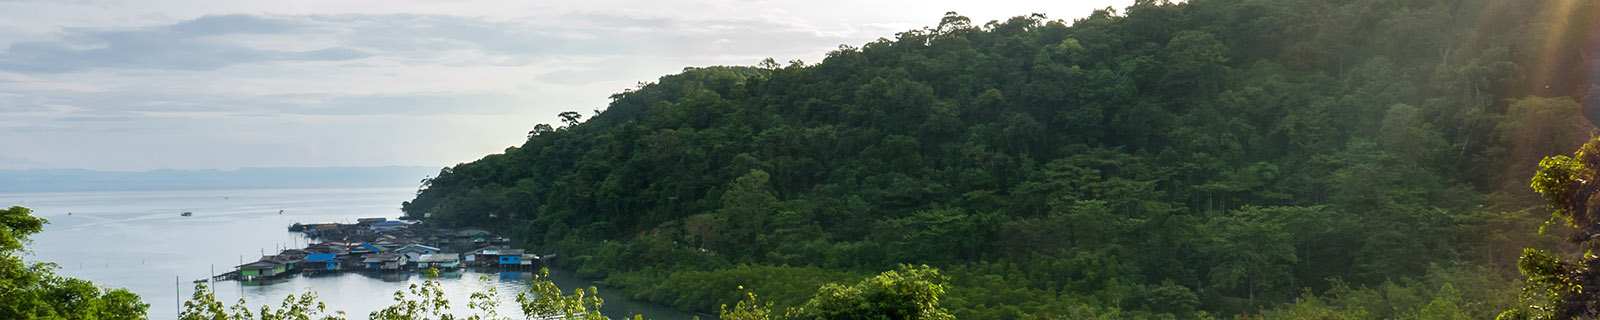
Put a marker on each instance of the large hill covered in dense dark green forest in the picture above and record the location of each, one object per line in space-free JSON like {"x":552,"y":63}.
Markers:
{"x":1214,"y":156}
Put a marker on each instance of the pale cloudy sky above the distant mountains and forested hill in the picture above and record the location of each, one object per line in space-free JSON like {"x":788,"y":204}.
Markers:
{"x":218,"y":86}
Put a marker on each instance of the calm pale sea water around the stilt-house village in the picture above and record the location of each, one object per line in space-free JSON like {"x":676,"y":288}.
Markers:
{"x":138,"y":241}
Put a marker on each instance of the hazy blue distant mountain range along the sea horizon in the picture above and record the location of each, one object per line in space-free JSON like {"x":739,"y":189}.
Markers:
{"x":242,"y":178}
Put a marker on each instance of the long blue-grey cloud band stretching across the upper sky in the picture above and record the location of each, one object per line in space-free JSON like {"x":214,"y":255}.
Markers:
{"x":215,"y":42}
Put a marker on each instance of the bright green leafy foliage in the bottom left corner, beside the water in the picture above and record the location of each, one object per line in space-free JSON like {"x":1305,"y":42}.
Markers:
{"x":36,"y":292}
